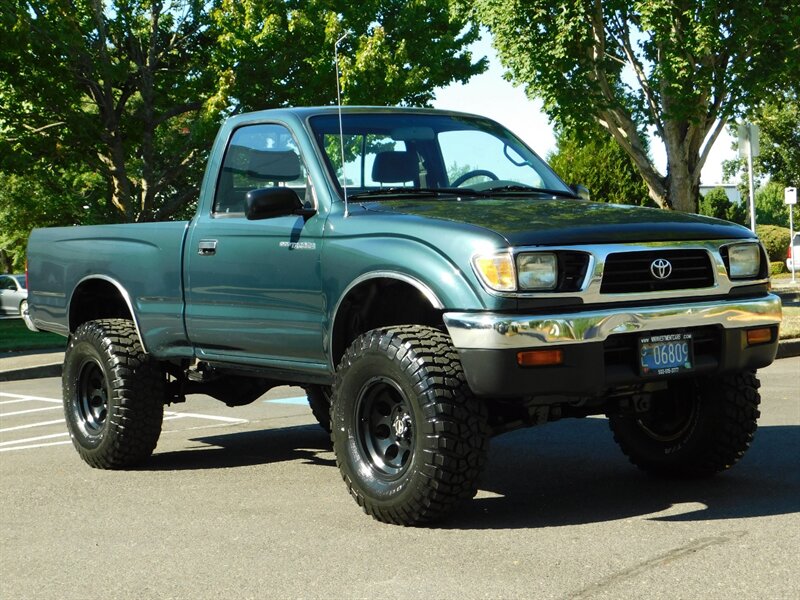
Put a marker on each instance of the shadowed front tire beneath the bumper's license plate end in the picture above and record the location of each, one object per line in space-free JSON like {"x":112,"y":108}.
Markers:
{"x":696,"y":427}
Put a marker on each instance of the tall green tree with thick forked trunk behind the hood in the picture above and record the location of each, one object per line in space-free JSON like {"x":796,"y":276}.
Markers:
{"x":680,"y":68}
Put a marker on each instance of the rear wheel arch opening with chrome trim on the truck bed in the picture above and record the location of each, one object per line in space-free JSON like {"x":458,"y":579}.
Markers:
{"x":101,"y":297}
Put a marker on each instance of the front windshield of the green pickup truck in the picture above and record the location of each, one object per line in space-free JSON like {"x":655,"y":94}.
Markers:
{"x":430,"y":155}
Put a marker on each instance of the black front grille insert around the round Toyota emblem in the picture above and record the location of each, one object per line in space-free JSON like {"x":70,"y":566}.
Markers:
{"x":630,"y":272}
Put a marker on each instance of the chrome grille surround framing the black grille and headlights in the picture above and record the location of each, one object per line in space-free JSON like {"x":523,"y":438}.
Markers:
{"x":598,"y":254}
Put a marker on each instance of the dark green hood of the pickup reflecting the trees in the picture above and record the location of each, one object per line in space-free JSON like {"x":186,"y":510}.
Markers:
{"x":529,"y":222}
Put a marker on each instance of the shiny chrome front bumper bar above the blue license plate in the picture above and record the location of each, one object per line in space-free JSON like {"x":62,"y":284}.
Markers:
{"x":498,"y":331}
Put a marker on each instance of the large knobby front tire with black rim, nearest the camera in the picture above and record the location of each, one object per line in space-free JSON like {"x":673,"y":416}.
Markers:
{"x":409,"y":436}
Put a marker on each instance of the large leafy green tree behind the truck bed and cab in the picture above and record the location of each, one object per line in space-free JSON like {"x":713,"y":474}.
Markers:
{"x":132,"y":91}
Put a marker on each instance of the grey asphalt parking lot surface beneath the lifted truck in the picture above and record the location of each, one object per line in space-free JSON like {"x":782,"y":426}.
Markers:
{"x":248,"y":503}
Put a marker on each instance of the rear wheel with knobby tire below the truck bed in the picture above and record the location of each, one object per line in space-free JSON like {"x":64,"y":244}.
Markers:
{"x":113,"y":395}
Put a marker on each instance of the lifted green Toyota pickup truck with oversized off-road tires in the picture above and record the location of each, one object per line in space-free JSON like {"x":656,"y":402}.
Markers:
{"x":431,"y":283}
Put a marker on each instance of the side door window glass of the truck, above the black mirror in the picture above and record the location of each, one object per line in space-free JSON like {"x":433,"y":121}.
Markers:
{"x":260,"y":156}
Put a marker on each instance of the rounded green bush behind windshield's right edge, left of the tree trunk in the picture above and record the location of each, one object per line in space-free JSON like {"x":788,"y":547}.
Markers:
{"x":601,"y":165}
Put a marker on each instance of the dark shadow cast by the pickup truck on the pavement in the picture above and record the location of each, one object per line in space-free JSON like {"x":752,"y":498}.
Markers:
{"x":561,"y":474}
